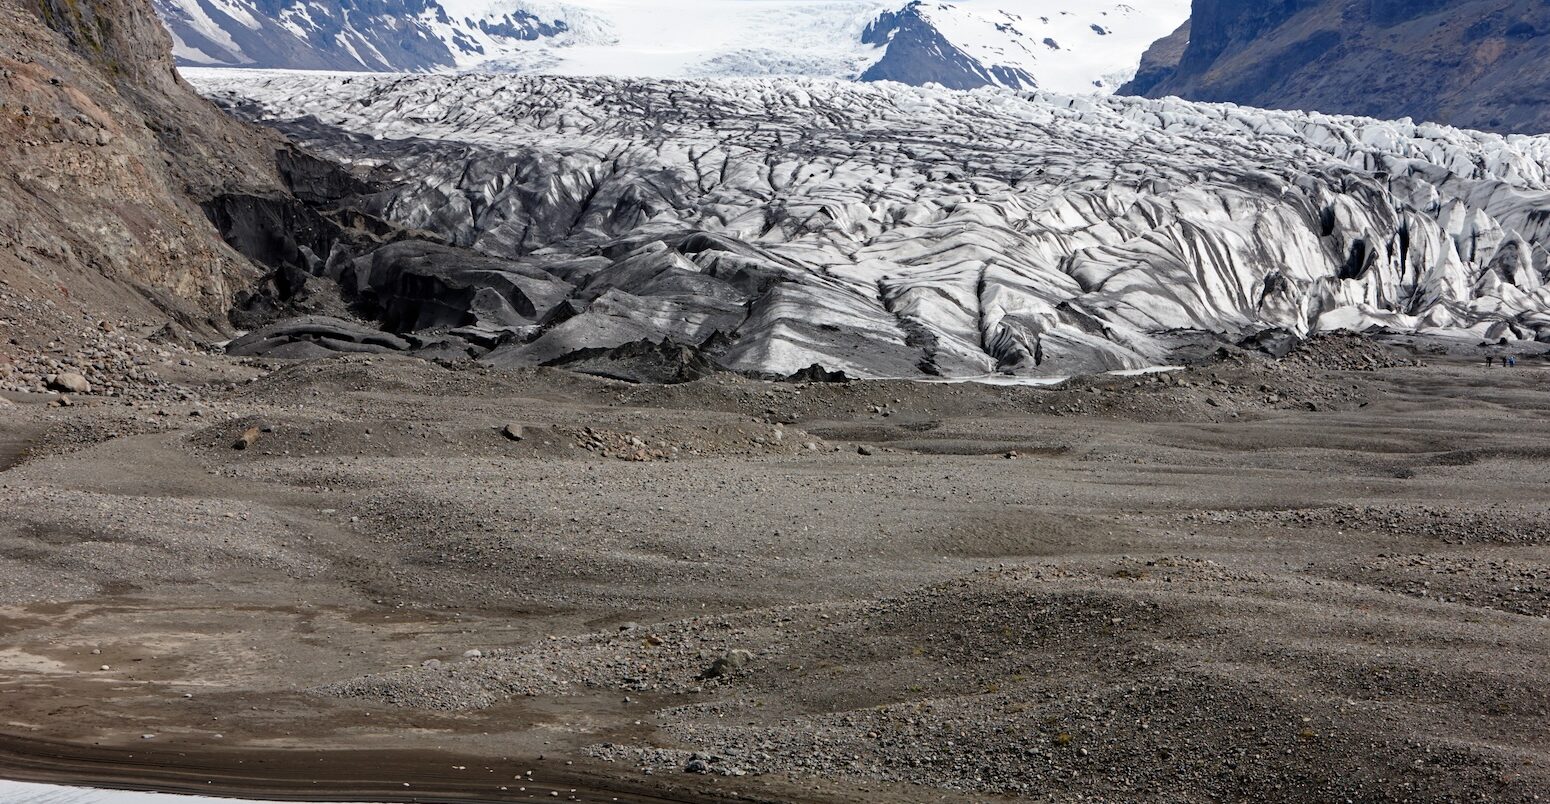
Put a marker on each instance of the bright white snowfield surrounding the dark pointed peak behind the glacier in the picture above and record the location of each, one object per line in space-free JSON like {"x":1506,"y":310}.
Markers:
{"x":1066,"y":46}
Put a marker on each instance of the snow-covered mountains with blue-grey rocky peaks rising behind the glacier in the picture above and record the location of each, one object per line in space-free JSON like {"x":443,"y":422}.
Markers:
{"x":1064,"y":46}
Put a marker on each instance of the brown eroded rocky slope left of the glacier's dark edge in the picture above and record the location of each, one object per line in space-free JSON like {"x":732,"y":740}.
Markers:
{"x":105,"y":160}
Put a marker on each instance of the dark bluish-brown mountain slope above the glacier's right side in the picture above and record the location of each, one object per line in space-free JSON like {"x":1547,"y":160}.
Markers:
{"x":1478,"y":64}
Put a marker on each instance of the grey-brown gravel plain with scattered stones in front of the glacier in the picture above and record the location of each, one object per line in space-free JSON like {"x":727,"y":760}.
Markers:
{"x":1115,"y":591}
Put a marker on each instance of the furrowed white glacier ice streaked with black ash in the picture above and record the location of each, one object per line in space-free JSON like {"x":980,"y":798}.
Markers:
{"x":895,"y":232}
